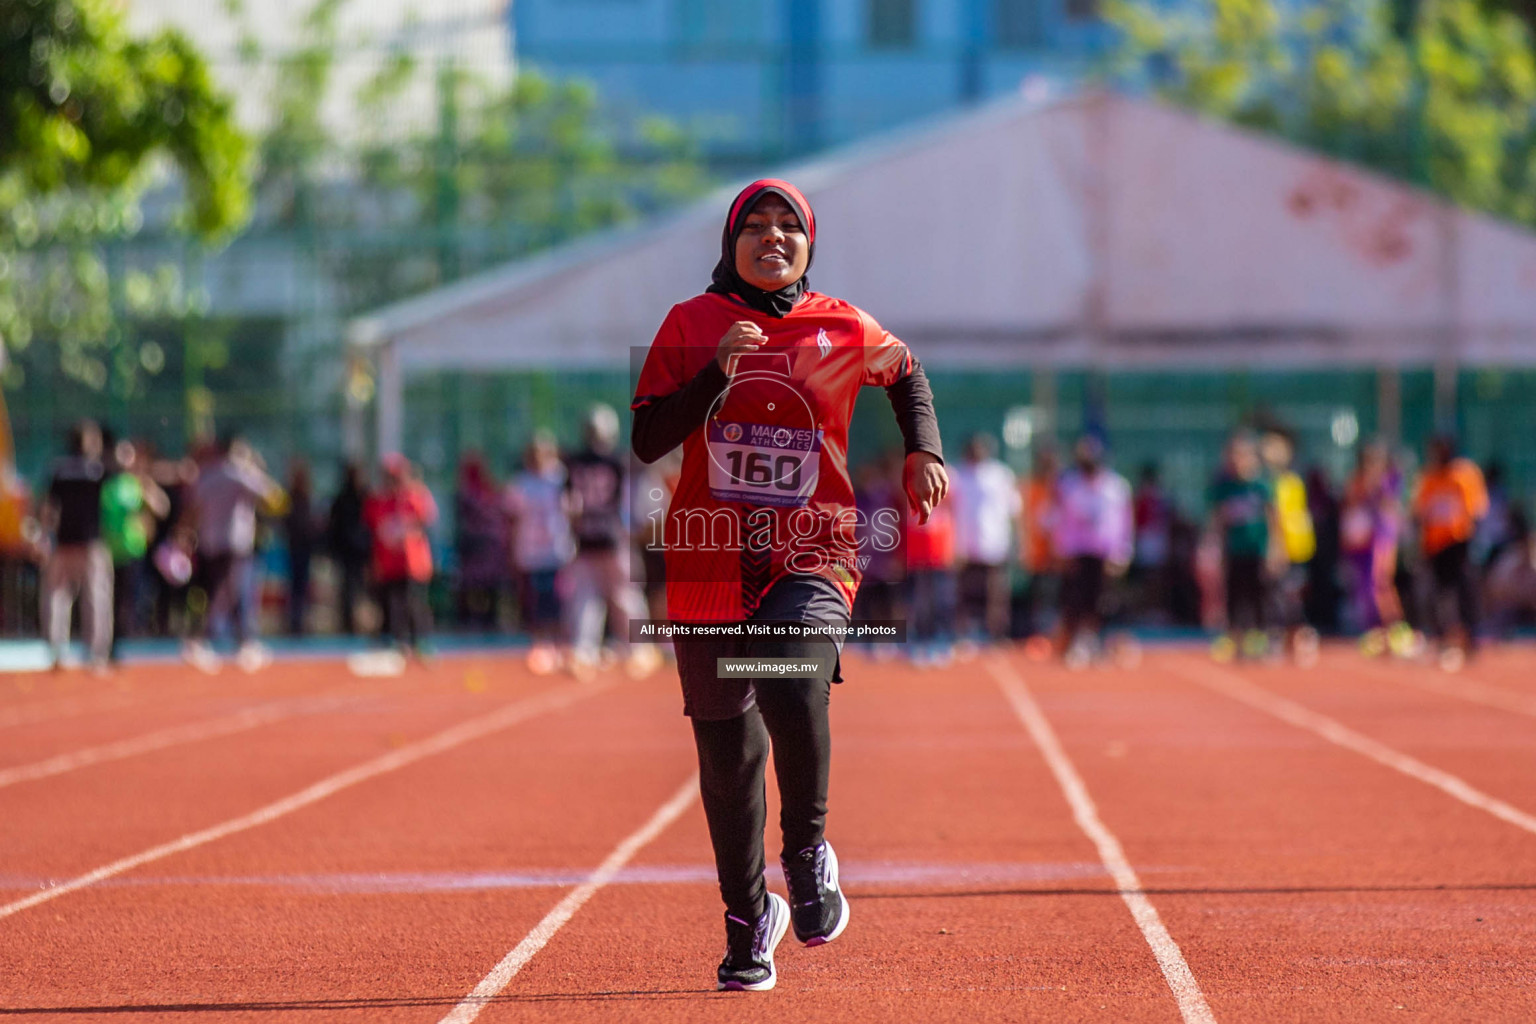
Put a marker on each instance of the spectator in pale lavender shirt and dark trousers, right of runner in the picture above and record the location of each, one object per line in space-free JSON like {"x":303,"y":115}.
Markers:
{"x":1093,"y":540}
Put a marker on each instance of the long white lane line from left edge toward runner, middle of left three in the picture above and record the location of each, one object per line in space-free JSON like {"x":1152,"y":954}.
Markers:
{"x":409,"y":755}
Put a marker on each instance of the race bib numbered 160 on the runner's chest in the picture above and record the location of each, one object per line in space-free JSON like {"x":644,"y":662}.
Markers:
{"x":763,"y":466}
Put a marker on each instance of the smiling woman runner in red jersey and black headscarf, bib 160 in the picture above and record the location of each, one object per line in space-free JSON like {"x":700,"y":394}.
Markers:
{"x":756,"y":380}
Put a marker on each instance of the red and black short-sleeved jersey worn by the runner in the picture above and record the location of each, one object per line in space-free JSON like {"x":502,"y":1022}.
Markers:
{"x":766,"y":489}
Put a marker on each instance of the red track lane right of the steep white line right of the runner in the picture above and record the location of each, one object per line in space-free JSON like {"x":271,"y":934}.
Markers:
{"x":1311,"y":884}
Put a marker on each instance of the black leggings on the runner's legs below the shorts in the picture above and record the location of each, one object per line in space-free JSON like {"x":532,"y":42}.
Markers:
{"x":733,"y":755}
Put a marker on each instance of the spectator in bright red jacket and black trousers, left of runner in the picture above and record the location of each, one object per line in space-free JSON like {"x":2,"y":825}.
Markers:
{"x":399,"y":518}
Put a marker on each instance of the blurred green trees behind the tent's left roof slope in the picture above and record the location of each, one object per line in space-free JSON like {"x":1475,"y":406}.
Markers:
{"x":492,"y":173}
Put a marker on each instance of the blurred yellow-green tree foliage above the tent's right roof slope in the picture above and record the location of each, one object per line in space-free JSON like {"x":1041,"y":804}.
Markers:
{"x":1442,"y":94}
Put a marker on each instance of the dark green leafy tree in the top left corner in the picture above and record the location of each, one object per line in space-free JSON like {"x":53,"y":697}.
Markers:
{"x":88,"y":116}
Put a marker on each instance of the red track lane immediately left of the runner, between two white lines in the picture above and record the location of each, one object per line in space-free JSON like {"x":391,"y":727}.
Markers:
{"x":385,"y":903}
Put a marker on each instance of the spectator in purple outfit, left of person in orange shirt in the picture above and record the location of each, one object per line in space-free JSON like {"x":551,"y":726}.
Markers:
{"x":1369,"y":529}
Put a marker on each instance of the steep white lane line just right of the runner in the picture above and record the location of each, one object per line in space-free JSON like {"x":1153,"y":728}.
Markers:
{"x":1180,"y":979}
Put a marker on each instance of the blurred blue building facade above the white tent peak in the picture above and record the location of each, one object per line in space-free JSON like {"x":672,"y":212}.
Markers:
{"x":760,"y":82}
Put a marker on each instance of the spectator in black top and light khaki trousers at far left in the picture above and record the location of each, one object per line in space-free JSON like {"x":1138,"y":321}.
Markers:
{"x":81,"y":564}
